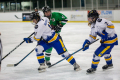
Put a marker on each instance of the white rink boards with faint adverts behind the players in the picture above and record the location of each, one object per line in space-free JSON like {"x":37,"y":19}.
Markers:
{"x":71,"y":15}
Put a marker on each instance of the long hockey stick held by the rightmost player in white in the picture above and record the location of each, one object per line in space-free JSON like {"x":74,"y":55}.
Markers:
{"x":67,"y":56}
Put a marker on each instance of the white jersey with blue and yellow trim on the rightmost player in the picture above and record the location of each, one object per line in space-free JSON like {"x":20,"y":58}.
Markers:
{"x":101,"y":25}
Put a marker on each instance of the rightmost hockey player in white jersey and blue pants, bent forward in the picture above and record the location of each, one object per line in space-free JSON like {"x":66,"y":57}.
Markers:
{"x":105,"y":29}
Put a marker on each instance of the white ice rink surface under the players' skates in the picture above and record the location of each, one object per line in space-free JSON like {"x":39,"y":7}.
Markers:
{"x":73,"y":35}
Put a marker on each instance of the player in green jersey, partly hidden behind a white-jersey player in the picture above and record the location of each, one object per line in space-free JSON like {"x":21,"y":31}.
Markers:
{"x":57,"y":21}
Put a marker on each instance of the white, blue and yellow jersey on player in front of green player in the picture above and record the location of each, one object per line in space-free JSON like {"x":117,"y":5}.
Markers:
{"x":43,"y":29}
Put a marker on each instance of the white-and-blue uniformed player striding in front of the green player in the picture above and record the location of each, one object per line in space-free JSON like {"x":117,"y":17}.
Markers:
{"x":47,"y":38}
